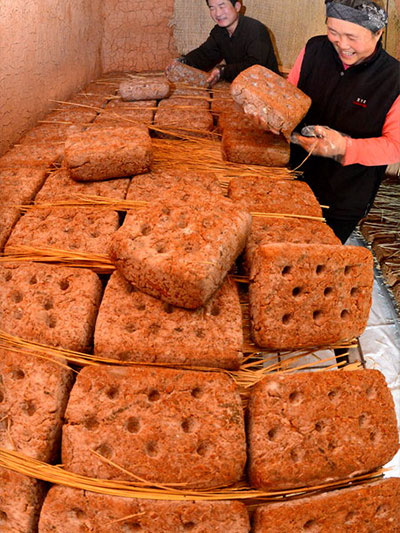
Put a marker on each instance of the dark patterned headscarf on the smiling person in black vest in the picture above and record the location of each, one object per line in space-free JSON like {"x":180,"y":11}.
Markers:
{"x":362,"y":12}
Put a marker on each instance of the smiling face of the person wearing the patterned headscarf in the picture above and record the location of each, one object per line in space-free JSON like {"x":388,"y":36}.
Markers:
{"x":352,"y":42}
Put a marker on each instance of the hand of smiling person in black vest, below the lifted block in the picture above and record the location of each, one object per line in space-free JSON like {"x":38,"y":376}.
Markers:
{"x":322,"y":141}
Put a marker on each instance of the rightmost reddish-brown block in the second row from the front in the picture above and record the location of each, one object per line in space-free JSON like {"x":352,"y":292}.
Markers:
{"x":311,"y":428}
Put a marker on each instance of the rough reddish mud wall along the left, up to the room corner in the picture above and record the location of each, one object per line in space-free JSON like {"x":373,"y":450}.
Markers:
{"x":48,"y":48}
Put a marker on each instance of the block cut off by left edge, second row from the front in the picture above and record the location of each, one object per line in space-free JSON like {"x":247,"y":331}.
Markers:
{"x":33,"y":397}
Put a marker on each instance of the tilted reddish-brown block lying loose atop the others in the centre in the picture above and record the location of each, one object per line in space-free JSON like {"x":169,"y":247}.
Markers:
{"x":180,"y":251}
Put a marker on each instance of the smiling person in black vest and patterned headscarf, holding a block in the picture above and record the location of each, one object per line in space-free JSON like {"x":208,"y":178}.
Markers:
{"x":355,"y":113}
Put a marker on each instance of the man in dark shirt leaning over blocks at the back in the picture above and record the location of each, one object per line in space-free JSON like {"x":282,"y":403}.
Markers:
{"x":240,"y":41}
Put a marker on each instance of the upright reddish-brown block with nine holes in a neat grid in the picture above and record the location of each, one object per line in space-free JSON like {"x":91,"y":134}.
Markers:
{"x":308,"y":295}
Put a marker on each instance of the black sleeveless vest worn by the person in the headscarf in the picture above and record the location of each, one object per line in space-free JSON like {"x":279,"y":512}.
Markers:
{"x":353,"y":101}
